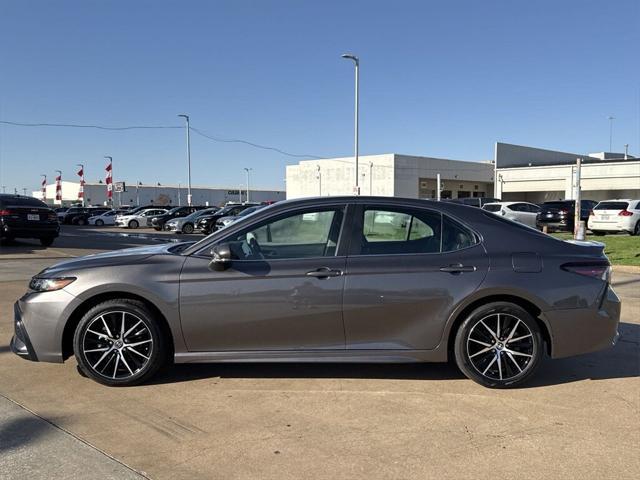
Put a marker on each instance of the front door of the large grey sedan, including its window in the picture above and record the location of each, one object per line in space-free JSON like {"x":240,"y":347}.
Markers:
{"x":283,"y":290}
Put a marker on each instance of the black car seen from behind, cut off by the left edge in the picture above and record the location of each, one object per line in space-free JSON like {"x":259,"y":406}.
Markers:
{"x":27,"y":217}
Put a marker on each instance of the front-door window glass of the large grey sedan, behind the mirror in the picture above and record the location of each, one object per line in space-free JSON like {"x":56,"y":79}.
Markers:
{"x":312,"y":233}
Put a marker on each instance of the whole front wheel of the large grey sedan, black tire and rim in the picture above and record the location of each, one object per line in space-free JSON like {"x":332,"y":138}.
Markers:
{"x":110,"y":360}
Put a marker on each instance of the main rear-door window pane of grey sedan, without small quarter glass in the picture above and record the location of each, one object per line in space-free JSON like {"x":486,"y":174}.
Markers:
{"x":387,"y":231}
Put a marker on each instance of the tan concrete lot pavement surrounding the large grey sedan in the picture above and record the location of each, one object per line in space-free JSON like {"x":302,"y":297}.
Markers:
{"x":579,"y":418}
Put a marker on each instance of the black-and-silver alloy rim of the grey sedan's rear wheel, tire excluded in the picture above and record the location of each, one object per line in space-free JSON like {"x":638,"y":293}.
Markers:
{"x":500,"y":346}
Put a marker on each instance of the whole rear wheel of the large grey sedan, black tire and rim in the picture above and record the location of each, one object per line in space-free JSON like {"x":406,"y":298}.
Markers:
{"x":496,"y":361}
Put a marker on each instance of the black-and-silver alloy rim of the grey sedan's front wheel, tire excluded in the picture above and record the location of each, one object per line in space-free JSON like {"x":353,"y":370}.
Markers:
{"x":117,"y":345}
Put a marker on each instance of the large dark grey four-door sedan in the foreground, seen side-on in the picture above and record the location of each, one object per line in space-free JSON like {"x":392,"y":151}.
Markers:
{"x":319,"y":280}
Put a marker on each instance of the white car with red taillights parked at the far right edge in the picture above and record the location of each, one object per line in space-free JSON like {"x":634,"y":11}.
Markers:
{"x":615,"y":216}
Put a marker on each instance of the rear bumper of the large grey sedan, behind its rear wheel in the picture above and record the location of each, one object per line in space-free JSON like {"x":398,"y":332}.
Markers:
{"x":580,"y":330}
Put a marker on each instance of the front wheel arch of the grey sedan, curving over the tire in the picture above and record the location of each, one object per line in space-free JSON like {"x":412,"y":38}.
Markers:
{"x":89,"y":303}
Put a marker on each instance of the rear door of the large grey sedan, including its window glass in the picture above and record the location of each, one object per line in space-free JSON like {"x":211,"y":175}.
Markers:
{"x":407,"y":270}
